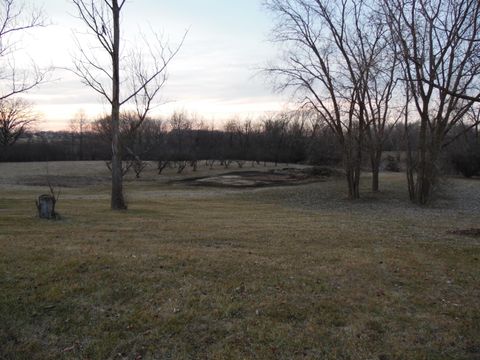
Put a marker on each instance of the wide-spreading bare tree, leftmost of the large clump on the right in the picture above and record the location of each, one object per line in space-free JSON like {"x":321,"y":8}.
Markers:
{"x":331,"y":46}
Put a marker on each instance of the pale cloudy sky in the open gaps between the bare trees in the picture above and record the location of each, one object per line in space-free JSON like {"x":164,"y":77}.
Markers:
{"x":216,"y":75}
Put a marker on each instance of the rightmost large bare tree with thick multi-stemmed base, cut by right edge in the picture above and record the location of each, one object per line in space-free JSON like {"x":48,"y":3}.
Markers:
{"x":439,"y":42}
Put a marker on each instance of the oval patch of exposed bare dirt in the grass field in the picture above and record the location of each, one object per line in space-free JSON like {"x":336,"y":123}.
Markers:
{"x":274,"y":177}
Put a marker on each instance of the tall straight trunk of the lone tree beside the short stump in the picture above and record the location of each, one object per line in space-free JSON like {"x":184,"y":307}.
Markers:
{"x":117,"y":200}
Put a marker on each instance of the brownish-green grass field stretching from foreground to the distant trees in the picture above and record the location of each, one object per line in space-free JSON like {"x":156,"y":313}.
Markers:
{"x":266,"y":273}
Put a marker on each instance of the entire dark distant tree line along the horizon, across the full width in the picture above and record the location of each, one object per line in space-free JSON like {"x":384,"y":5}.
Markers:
{"x":183,"y":141}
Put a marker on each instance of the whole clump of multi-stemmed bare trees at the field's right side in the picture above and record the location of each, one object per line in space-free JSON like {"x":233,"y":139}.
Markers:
{"x":362,"y":65}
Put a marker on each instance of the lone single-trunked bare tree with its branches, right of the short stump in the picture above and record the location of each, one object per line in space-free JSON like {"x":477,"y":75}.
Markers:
{"x":102,"y":18}
